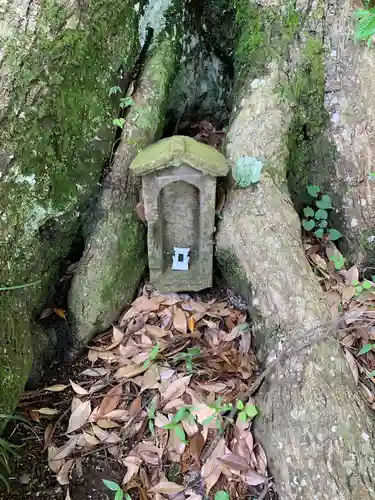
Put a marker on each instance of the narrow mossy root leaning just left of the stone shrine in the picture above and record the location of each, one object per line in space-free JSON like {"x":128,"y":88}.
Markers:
{"x":115,"y":257}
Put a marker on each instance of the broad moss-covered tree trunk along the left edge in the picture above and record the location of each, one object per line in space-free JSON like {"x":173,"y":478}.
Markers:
{"x":58,"y":62}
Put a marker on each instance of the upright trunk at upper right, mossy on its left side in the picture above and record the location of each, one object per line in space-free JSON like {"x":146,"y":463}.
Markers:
{"x":330,"y":77}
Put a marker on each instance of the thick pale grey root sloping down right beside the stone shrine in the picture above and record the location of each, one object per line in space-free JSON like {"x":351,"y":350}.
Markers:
{"x":317,"y":431}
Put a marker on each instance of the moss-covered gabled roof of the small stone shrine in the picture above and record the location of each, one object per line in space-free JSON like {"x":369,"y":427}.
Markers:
{"x":180,"y":150}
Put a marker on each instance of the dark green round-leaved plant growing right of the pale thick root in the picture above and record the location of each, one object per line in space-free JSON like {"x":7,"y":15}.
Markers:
{"x":316,"y":217}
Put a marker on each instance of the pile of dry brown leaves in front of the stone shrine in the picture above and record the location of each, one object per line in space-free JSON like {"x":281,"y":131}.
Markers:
{"x":158,"y":390}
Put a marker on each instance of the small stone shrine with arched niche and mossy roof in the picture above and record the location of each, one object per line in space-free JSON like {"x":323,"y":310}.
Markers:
{"x":179,"y":191}
